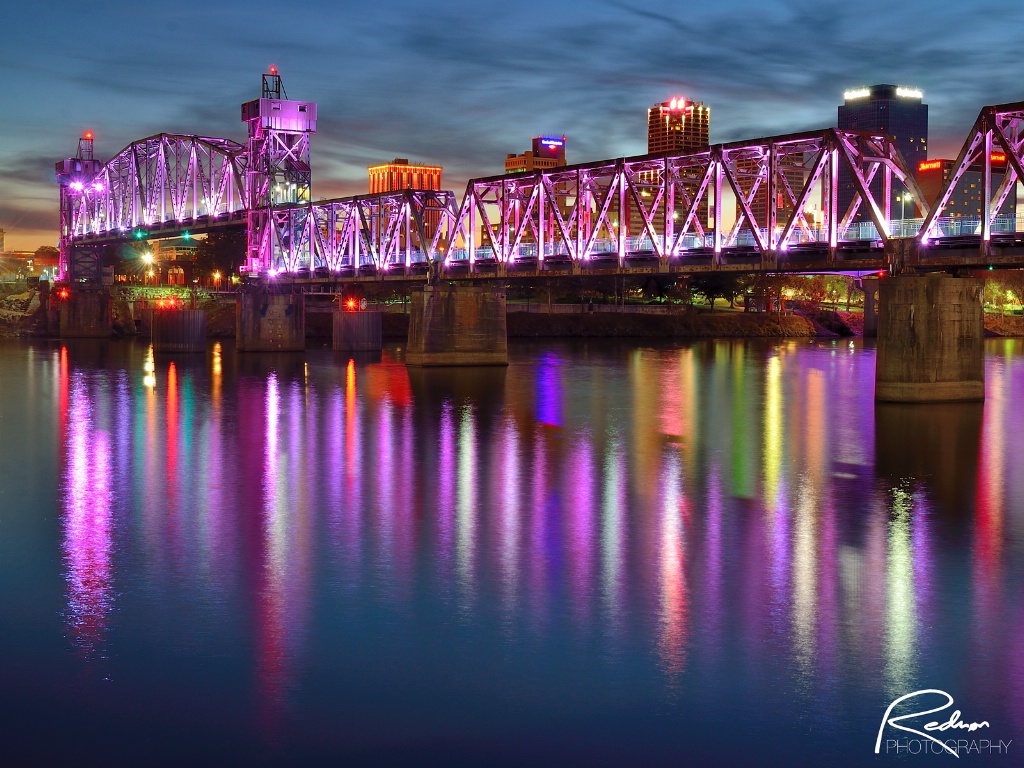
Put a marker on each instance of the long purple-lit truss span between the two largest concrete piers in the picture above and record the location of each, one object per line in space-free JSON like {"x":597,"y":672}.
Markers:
{"x":667,"y":207}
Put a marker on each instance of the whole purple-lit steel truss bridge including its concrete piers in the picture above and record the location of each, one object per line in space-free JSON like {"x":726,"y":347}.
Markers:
{"x":819,"y":201}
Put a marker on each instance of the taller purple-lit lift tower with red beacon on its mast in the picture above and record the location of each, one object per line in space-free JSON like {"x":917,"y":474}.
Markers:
{"x":279,"y":179}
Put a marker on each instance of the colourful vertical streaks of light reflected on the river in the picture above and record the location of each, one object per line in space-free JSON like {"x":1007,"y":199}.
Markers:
{"x":719,"y":509}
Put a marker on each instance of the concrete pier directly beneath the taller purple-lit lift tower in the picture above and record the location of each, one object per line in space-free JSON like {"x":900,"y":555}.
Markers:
{"x":271,"y":323}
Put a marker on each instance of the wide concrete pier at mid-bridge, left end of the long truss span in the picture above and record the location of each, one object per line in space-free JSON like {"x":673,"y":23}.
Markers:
{"x":462,"y":326}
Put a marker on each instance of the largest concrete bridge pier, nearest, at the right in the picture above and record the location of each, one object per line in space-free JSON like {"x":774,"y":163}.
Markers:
{"x":931,"y":340}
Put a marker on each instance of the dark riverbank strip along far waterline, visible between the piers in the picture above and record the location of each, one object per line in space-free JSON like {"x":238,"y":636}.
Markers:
{"x":23,"y":316}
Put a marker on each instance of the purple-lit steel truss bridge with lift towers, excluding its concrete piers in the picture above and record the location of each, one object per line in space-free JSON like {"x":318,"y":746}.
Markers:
{"x":771,"y":204}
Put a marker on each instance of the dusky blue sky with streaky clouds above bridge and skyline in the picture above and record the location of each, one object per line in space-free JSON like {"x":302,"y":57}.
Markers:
{"x":461,"y":84}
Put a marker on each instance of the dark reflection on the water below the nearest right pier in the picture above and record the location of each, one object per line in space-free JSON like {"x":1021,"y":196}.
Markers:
{"x":934,"y":446}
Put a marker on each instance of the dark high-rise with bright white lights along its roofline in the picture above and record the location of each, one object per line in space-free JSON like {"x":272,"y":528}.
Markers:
{"x":895,"y":111}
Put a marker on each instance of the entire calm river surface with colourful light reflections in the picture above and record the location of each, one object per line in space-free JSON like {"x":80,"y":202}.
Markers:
{"x":710,"y":553}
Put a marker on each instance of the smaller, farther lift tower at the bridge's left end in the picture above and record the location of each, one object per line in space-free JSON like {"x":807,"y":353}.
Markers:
{"x":76,"y":178}
